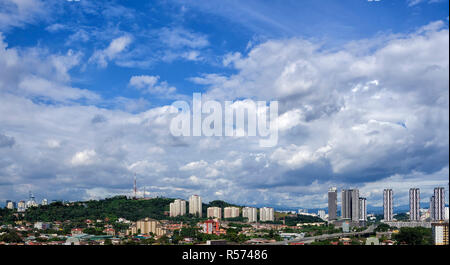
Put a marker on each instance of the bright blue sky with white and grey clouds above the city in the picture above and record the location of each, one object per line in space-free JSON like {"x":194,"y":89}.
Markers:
{"x":86,"y":88}
